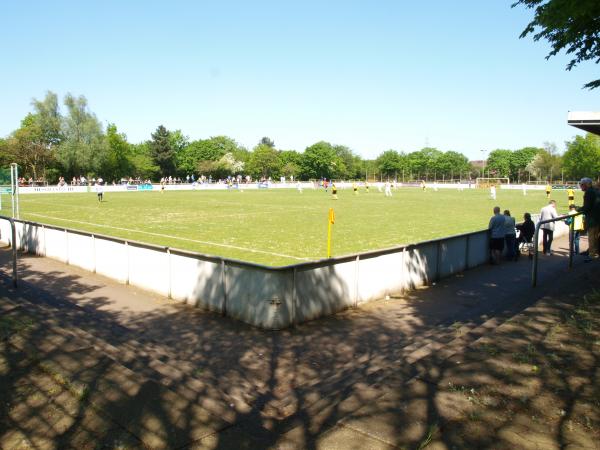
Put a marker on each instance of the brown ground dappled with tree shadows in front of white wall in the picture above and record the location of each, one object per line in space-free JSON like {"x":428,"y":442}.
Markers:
{"x":465,"y":365}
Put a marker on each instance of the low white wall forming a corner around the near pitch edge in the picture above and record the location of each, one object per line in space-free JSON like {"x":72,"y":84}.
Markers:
{"x":266,"y":297}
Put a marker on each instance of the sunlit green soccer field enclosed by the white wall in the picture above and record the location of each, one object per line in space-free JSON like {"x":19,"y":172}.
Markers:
{"x":280,"y":226}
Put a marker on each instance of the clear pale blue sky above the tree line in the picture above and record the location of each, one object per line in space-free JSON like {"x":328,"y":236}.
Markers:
{"x":370,"y":75}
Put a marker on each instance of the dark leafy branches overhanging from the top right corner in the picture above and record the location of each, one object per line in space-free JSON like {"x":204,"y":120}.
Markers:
{"x":570,"y":25}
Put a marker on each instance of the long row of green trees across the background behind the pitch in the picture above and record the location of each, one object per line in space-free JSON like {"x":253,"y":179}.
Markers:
{"x":51,"y":143}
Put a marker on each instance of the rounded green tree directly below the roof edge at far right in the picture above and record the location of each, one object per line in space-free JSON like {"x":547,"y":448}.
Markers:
{"x":582,"y":158}
